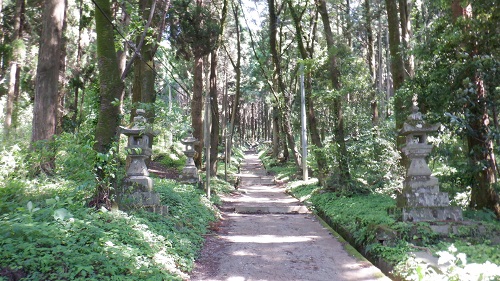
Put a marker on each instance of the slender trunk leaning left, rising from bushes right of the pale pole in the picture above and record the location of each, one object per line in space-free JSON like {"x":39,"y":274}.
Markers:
{"x":342,"y":157}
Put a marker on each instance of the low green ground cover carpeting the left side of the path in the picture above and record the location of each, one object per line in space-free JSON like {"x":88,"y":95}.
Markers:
{"x":56,"y":237}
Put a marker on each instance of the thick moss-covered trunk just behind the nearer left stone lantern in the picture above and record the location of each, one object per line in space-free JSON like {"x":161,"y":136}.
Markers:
{"x":111,"y":85}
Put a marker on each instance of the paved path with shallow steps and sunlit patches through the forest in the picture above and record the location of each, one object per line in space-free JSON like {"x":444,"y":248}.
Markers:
{"x":266,"y":234}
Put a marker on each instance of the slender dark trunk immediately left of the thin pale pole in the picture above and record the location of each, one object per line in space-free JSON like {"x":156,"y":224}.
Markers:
{"x":277,"y":76}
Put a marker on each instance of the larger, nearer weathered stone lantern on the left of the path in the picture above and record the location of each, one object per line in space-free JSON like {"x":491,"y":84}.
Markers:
{"x":137,"y":189}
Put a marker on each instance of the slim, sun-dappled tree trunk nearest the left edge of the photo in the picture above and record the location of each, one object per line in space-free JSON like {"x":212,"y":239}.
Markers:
{"x":14,"y":69}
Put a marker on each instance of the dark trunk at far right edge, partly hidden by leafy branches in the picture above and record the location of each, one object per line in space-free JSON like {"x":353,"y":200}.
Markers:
{"x":480,"y":145}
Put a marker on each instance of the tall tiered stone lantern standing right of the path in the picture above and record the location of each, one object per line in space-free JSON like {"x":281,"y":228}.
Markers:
{"x":421,"y":199}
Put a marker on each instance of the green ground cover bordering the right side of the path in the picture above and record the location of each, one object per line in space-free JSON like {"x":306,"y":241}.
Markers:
{"x":365,"y":217}
